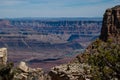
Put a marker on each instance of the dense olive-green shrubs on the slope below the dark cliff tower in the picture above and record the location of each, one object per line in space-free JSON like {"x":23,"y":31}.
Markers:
{"x":105,"y":61}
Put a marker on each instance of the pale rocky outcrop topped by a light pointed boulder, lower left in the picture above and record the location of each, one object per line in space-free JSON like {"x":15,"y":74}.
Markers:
{"x":23,"y":72}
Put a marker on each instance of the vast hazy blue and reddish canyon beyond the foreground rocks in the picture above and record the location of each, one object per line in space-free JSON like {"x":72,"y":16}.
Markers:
{"x":47,"y":42}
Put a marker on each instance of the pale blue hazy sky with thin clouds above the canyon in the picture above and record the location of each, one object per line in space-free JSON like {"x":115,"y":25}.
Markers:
{"x":54,"y":8}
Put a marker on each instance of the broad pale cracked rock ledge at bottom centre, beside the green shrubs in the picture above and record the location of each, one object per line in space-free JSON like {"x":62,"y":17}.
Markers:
{"x":72,"y":71}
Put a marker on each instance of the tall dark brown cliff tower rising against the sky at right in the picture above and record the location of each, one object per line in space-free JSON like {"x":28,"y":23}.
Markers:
{"x":111,"y":23}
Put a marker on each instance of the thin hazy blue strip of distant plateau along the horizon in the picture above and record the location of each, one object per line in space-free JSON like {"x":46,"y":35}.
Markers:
{"x":57,"y":18}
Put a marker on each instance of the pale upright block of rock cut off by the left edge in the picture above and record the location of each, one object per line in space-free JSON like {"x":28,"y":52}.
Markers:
{"x":3,"y":56}
